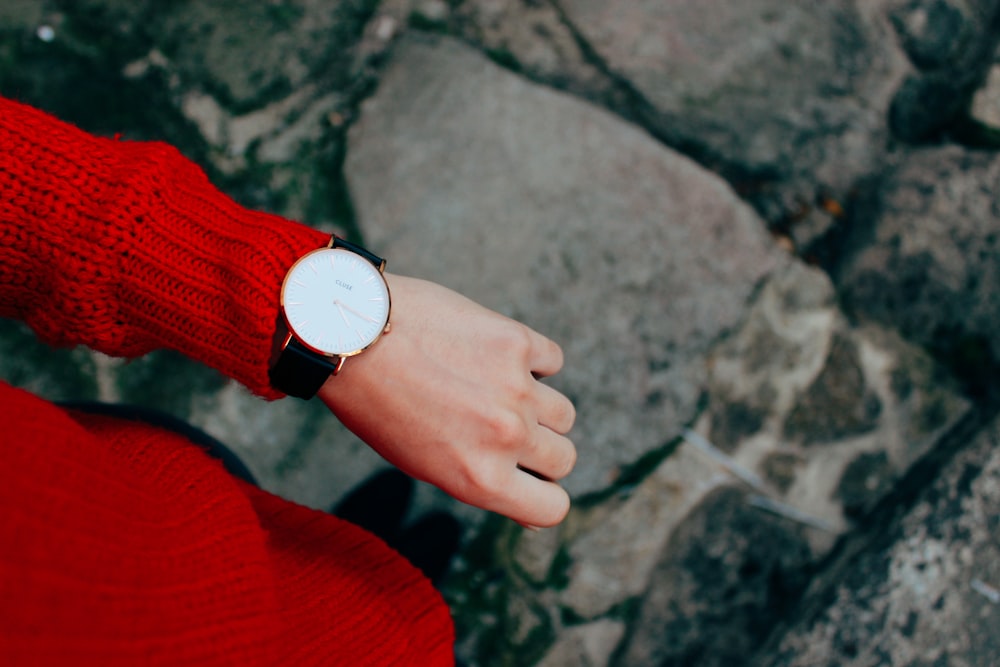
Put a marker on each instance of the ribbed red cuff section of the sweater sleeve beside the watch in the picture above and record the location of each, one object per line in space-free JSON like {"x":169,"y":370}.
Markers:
{"x":219,"y":268}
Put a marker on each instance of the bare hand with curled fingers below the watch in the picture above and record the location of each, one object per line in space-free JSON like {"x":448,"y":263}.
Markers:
{"x":451,"y":396}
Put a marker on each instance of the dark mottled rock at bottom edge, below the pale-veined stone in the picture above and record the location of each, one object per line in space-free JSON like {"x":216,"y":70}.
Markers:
{"x":725,"y":576}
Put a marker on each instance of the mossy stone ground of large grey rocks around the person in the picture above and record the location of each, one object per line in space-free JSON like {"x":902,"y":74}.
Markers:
{"x":766,"y":234}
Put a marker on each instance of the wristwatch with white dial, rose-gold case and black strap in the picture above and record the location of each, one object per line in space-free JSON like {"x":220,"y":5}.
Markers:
{"x":334,"y":304}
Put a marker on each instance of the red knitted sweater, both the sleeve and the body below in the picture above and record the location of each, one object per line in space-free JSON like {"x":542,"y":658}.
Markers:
{"x":123,"y":544}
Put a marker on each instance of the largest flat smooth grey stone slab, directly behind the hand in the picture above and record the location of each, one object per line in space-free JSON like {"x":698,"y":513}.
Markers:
{"x":557,"y":213}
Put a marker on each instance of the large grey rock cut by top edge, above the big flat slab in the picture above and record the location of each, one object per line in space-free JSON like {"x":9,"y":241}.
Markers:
{"x":767,"y":90}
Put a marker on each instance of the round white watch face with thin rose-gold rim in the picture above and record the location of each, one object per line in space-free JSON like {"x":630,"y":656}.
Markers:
{"x":335,"y":302}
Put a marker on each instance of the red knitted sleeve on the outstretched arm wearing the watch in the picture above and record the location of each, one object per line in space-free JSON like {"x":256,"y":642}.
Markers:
{"x":125,"y":247}
